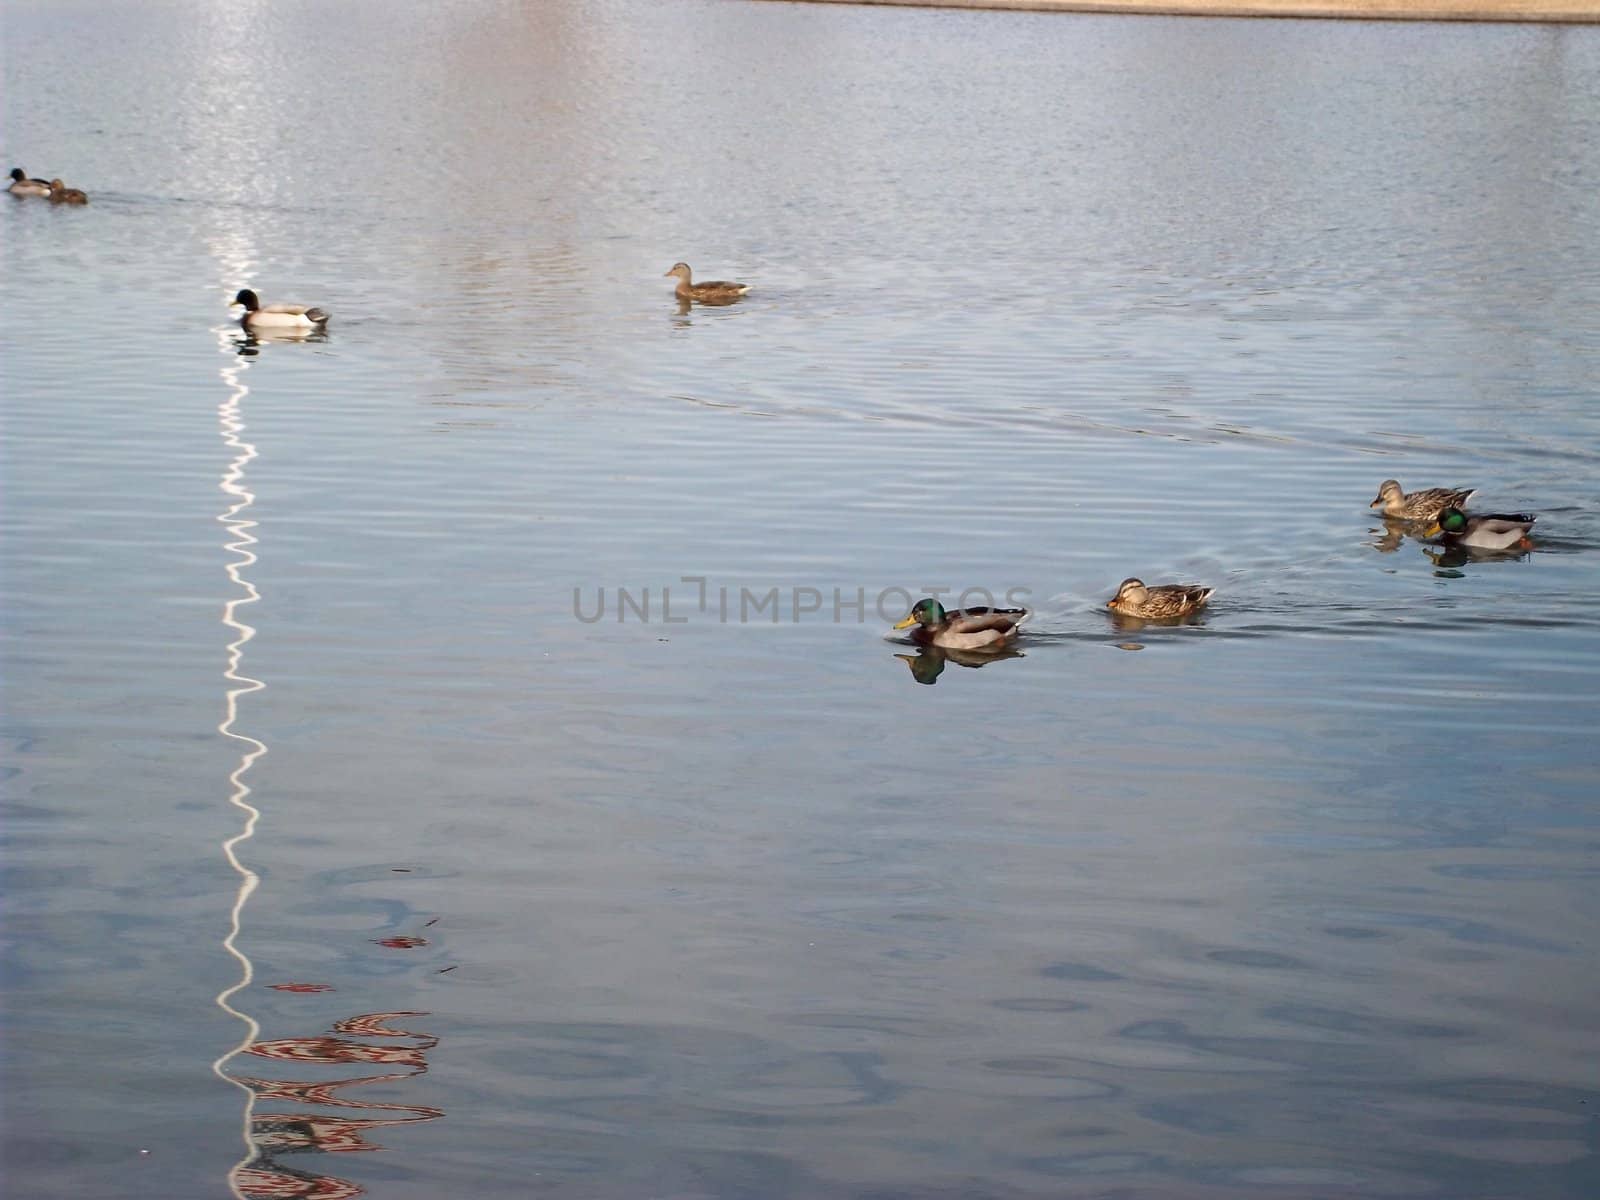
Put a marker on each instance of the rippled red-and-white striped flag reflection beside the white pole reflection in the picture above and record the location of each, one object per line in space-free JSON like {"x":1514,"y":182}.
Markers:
{"x":303,"y":1130}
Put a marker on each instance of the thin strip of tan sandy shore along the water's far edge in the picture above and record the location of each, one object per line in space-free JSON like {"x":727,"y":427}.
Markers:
{"x":1359,"y":10}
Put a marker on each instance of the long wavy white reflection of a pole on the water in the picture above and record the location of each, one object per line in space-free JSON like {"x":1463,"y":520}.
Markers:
{"x":238,"y":684}
